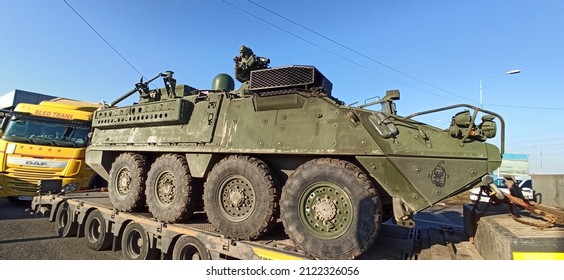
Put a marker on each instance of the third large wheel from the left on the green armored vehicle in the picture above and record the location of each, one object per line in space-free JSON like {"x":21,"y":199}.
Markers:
{"x":241,"y":197}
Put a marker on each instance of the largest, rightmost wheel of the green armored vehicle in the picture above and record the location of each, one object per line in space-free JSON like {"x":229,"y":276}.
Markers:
{"x":331,"y":209}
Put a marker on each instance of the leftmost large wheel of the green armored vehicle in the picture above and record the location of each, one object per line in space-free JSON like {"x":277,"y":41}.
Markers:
{"x":126,"y":186}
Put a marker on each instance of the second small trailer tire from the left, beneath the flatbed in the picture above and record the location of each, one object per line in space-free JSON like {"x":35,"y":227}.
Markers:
{"x":96,"y":232}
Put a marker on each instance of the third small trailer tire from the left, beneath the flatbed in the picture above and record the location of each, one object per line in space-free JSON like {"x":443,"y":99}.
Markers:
{"x":135,"y":244}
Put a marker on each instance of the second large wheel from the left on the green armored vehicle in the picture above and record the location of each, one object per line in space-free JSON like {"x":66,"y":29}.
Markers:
{"x":169,"y":189}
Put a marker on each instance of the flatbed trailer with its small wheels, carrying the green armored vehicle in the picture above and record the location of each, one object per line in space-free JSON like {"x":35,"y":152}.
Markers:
{"x":140,"y":236}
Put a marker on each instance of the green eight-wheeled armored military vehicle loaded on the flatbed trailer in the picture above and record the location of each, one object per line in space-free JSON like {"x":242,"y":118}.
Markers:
{"x":282,"y":147}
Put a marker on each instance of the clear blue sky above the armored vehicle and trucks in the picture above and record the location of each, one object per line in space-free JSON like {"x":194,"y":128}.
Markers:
{"x":434,"y":52}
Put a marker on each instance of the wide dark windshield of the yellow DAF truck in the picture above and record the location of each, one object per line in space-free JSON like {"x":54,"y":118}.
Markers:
{"x":52,"y":133}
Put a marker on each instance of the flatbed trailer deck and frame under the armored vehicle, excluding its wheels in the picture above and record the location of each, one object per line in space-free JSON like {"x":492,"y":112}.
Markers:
{"x":393,"y":243}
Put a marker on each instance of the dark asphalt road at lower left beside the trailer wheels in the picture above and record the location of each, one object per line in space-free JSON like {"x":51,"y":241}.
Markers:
{"x":26,"y":237}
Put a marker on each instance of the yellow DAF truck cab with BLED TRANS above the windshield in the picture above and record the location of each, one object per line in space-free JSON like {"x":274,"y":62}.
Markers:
{"x":46,"y":142}
